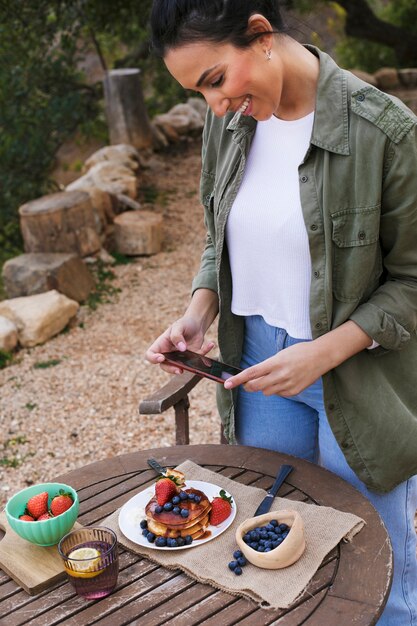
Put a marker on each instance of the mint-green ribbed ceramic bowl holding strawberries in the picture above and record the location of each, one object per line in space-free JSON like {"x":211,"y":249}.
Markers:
{"x":48,"y":532}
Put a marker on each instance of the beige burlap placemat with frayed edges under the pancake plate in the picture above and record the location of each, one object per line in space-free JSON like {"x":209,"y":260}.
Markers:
{"x":207,"y":563}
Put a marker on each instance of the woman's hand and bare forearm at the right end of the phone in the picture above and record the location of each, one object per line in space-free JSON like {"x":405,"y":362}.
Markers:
{"x":295,"y":368}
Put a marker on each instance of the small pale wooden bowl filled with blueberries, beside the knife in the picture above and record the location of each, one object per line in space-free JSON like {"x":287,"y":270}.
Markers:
{"x":272,"y":541}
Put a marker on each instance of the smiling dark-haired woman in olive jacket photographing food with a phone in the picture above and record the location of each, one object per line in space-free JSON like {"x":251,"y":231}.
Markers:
{"x":308,"y":184}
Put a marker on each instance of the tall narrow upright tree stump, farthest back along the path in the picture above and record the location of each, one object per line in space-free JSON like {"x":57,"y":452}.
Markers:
{"x":127,"y":118}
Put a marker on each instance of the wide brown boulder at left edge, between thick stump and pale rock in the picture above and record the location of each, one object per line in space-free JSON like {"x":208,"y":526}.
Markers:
{"x":38,"y":272}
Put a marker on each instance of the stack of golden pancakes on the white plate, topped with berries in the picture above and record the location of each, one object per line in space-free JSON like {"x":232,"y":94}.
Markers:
{"x":169,"y":524}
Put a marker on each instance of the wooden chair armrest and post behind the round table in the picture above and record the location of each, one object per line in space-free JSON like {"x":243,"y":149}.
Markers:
{"x":175,"y":394}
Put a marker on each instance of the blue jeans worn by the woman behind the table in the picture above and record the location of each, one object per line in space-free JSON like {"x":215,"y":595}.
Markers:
{"x":299,"y":426}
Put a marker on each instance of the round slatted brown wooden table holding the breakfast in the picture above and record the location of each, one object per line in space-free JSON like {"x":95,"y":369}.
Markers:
{"x":351,"y":586}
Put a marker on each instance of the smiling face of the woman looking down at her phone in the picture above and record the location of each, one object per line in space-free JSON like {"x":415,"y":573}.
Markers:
{"x":230,"y":79}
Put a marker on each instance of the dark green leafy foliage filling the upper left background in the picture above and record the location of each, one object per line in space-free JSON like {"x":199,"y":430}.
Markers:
{"x":44,"y":97}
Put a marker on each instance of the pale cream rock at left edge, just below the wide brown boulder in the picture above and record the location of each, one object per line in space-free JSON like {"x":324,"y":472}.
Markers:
{"x":39,"y":317}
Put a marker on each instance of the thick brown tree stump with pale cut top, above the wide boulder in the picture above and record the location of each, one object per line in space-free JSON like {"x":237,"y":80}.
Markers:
{"x":60,"y":222}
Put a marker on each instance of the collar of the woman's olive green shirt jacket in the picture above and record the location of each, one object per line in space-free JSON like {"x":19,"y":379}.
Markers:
{"x":331,"y":124}
